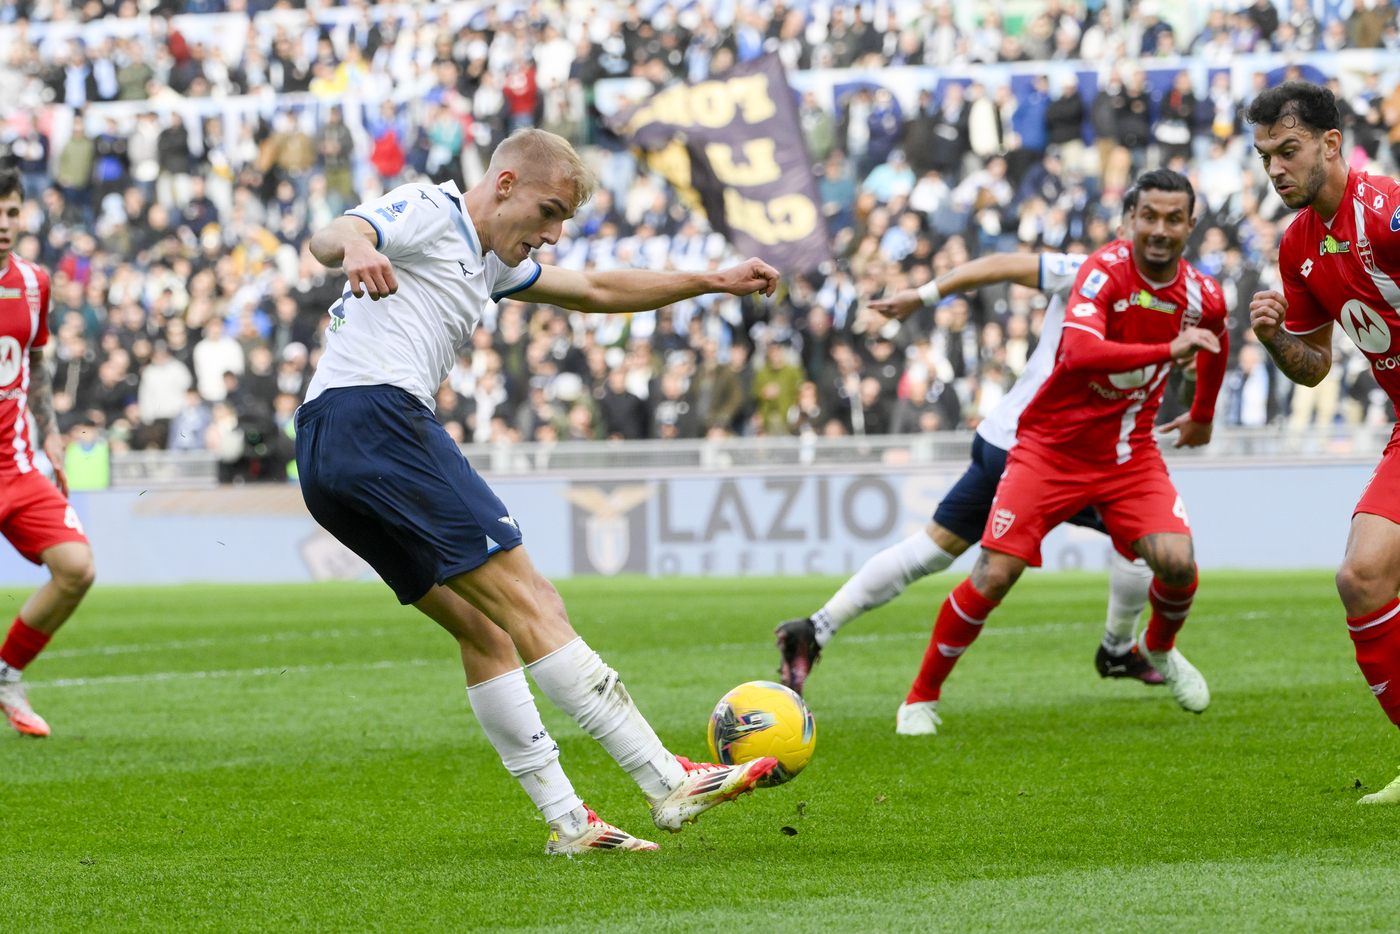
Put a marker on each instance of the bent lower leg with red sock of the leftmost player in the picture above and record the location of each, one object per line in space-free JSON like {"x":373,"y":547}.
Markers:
{"x":48,"y":608}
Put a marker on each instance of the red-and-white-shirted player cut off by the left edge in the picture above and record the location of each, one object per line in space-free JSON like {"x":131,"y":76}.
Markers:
{"x":34,"y":515}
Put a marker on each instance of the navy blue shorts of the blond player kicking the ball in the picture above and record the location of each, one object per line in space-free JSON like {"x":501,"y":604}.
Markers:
{"x":381,"y":474}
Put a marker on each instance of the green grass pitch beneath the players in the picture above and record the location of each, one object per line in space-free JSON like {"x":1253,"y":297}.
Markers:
{"x":304,"y":760}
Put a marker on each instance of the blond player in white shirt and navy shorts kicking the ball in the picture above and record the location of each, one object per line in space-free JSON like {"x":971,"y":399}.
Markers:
{"x":381,"y":475}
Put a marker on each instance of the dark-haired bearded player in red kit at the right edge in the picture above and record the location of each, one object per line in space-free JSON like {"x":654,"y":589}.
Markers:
{"x":1340,"y":261}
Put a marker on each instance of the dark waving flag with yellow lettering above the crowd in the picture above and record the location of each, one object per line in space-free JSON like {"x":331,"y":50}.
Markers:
{"x":734,"y":146}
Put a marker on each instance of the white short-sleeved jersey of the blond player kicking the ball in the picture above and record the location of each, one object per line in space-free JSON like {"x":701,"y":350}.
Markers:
{"x":411,"y":338}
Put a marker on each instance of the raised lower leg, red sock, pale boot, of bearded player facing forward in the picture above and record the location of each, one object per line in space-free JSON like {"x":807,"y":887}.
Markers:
{"x":1172,"y":559}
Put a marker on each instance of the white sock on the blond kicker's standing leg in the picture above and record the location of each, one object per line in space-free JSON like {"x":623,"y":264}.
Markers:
{"x":507,"y":713}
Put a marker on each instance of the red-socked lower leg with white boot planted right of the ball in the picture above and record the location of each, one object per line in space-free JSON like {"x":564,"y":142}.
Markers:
{"x":960,"y":622}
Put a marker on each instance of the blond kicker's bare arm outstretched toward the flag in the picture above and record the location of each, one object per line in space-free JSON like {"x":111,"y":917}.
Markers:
{"x":624,"y":291}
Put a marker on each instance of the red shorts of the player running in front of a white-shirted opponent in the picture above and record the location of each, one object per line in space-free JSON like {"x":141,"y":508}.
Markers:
{"x":1039,"y":492}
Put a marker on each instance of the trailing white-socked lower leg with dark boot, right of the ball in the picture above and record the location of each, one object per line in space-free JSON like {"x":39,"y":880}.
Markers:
{"x":880,"y":580}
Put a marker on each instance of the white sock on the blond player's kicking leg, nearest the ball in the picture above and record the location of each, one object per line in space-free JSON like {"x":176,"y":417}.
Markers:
{"x":577,"y":681}
